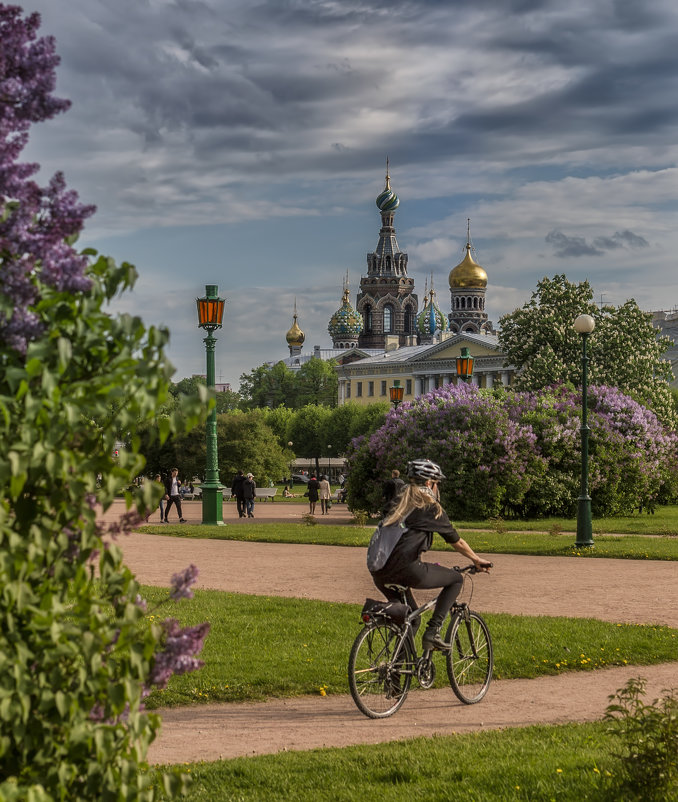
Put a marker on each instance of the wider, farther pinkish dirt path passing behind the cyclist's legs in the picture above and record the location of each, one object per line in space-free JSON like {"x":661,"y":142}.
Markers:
{"x":637,"y":591}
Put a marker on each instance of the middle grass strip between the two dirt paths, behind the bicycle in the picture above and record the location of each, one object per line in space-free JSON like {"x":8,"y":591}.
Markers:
{"x":261,"y":647}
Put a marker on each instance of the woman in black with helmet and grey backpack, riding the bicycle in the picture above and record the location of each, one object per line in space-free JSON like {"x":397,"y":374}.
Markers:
{"x":422,"y":515}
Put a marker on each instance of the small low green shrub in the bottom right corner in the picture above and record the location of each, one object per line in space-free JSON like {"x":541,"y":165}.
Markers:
{"x":648,"y":768}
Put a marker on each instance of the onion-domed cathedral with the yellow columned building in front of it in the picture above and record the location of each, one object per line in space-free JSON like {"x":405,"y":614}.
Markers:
{"x":386,"y":336}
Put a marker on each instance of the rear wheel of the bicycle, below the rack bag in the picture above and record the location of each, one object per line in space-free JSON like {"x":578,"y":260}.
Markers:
{"x":379,"y":681}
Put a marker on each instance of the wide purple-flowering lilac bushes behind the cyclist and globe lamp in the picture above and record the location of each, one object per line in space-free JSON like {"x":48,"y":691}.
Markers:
{"x":519,"y":453}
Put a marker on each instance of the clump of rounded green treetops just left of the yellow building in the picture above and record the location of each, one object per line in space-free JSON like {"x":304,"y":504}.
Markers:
{"x":276,"y":385}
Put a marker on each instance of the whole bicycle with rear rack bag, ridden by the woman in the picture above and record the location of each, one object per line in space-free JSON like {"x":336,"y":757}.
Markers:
{"x":384,"y":659}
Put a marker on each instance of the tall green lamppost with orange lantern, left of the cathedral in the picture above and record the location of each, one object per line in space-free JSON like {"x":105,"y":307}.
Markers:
{"x":210,"y":314}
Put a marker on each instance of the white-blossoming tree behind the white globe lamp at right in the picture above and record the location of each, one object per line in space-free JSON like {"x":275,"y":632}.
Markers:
{"x":624,"y":349}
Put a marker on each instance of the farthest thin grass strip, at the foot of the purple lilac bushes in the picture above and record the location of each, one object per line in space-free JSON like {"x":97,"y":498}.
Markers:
{"x":636,"y":547}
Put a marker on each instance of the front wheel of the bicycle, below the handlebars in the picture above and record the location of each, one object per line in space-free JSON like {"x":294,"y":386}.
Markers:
{"x":469,"y":659}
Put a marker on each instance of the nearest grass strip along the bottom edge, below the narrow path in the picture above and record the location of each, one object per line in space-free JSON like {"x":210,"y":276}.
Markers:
{"x":570,"y":763}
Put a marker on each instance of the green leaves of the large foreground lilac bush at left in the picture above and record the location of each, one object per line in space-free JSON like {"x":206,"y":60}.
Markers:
{"x":73,"y":656}
